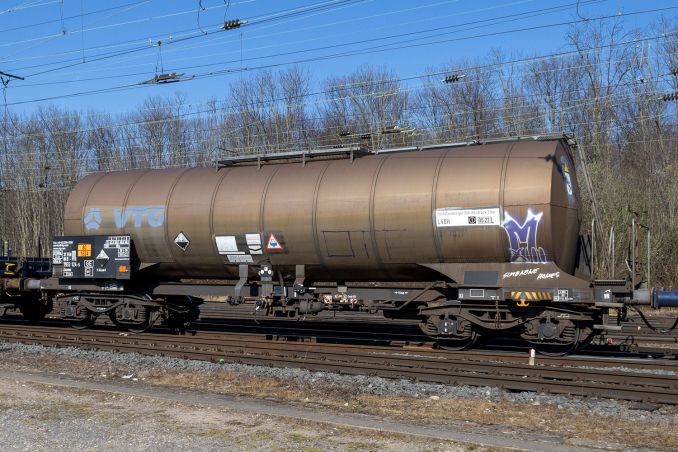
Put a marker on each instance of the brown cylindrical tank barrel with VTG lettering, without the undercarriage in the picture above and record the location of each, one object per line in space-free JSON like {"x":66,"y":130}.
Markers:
{"x":373,"y":218}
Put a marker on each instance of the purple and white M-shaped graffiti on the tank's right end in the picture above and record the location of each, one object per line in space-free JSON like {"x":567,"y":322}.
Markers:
{"x":523,"y":237}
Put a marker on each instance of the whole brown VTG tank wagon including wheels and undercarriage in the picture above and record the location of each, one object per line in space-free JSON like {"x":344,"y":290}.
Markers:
{"x":470,"y":238}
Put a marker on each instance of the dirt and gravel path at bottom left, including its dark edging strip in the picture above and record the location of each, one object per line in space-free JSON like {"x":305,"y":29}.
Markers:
{"x":109,"y":411}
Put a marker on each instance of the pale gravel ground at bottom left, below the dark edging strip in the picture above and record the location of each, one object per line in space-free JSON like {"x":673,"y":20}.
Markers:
{"x":38,"y":417}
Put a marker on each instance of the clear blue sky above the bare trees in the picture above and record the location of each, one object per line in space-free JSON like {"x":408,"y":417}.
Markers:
{"x":46,"y":41}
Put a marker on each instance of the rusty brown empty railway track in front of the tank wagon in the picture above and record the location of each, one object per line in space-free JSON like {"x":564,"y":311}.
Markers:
{"x":577,"y":375}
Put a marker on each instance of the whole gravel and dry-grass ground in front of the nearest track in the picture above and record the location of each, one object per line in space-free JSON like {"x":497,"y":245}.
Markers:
{"x":37,"y":416}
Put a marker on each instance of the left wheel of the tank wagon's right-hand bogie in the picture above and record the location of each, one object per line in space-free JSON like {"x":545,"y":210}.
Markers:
{"x":450,"y":332}
